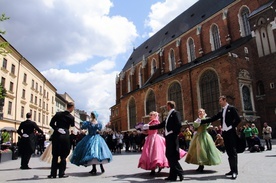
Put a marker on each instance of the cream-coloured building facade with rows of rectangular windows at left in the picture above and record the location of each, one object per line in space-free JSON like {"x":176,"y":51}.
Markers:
{"x":27,"y":91}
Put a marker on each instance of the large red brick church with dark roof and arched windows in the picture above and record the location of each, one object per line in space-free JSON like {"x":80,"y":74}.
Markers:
{"x":213,"y":48}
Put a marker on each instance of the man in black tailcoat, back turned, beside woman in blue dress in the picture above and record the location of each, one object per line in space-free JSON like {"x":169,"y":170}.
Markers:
{"x":61,"y":123}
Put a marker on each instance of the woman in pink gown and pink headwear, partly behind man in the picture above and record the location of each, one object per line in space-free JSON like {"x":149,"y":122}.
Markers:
{"x":153,"y":154}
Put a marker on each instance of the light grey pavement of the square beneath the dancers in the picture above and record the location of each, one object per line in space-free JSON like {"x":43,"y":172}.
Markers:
{"x":253,"y":167}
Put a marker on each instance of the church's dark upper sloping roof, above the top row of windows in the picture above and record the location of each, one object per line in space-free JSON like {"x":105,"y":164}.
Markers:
{"x":193,"y":16}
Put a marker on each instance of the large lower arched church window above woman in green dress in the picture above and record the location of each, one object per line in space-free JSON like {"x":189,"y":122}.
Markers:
{"x":209,"y":92}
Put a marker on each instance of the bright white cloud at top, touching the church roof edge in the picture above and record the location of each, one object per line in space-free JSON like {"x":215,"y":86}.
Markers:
{"x":164,"y":12}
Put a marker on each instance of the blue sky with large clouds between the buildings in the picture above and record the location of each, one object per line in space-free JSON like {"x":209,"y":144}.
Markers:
{"x":81,"y":46}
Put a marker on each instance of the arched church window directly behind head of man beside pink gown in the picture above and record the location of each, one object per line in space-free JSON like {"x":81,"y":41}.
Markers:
{"x":175,"y":94}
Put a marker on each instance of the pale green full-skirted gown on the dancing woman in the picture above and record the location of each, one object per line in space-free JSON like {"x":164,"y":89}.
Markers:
{"x":202,"y":150}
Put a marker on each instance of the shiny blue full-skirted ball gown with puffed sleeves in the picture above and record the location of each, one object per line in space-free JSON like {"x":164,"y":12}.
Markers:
{"x":92,"y":149}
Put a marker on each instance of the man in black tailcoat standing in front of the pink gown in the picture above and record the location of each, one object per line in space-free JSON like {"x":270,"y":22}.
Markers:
{"x":172,"y":126}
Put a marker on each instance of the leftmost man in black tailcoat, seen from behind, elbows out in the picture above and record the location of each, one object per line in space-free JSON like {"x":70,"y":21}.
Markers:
{"x":27,"y":142}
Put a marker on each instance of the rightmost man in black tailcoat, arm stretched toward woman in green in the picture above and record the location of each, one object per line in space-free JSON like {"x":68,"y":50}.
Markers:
{"x":230,"y":119}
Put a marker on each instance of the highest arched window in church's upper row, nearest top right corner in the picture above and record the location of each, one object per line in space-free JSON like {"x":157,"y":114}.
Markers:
{"x":244,"y":23}
